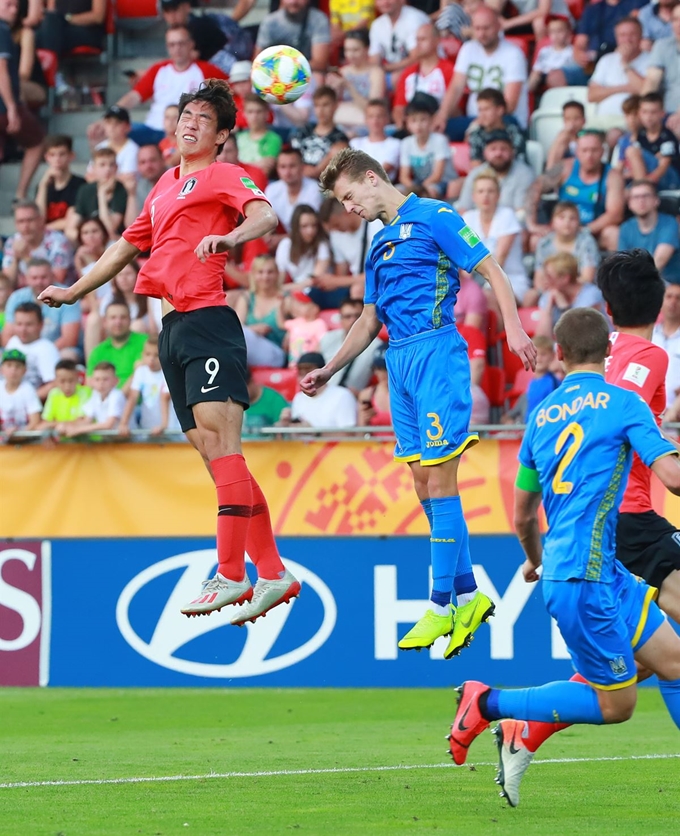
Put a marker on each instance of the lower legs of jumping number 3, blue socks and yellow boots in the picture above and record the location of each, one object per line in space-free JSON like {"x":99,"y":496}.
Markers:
{"x":437,"y":488}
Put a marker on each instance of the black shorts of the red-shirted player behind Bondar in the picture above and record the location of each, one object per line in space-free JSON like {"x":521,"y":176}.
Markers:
{"x":648,"y":546}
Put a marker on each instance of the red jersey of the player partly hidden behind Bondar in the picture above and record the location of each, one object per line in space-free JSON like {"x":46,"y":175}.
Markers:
{"x":638,"y":365}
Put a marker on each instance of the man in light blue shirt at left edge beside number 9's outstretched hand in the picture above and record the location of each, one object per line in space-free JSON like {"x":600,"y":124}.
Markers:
{"x":60,"y":325}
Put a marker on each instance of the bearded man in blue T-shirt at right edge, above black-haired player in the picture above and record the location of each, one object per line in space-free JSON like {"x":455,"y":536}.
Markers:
{"x":652,"y":231}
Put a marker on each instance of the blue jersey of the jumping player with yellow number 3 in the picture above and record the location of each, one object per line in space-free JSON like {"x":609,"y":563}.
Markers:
{"x":412,"y":266}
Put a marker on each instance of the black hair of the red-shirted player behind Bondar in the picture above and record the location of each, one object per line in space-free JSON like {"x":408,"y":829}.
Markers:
{"x":632,"y":287}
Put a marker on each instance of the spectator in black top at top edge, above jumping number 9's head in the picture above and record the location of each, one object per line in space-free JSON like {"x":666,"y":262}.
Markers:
{"x":217,"y":38}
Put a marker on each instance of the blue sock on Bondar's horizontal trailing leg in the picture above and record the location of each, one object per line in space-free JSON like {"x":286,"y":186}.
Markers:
{"x":556,"y":702}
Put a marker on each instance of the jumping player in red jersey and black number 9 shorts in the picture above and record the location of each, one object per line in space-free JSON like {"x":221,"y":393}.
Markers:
{"x":201,"y":345}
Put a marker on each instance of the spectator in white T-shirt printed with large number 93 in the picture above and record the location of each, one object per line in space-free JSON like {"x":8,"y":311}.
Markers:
{"x":486,"y":61}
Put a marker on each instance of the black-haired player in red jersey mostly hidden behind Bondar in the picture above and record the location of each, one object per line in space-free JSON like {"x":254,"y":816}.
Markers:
{"x":646,"y":543}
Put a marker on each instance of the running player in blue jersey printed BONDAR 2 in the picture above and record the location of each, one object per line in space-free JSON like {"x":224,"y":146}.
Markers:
{"x":576,"y":456}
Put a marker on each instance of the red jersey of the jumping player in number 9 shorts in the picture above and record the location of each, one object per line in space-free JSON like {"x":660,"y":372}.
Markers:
{"x":177,"y":215}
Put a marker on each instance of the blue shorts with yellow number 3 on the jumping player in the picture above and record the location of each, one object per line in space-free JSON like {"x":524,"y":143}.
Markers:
{"x":430,"y":398}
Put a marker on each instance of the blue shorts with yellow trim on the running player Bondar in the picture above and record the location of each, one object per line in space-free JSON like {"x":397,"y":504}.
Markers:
{"x":603,"y":624}
